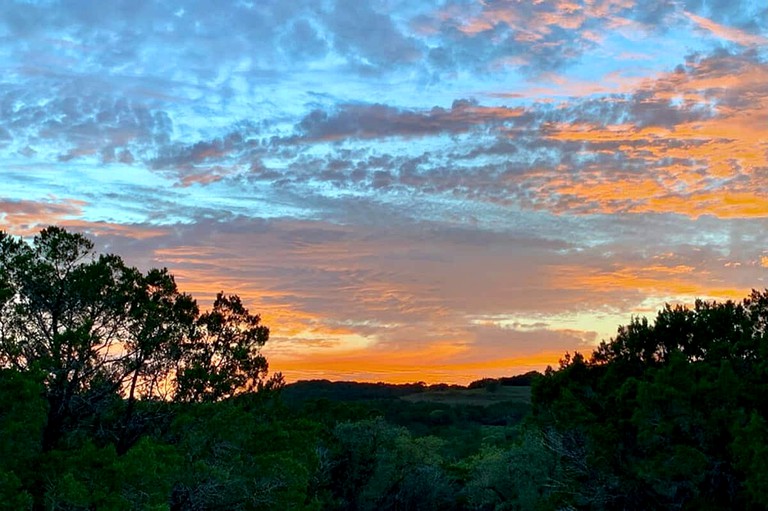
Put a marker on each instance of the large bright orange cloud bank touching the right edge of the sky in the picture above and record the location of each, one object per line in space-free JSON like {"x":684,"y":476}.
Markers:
{"x":713,"y":165}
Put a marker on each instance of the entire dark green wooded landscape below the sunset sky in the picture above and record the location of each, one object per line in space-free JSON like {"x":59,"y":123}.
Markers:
{"x":118,"y":393}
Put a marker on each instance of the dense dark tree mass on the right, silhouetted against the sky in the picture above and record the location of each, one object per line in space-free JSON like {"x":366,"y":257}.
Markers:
{"x":662,"y":410}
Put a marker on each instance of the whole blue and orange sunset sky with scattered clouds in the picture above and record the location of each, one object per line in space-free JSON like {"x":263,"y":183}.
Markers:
{"x":432,"y":190}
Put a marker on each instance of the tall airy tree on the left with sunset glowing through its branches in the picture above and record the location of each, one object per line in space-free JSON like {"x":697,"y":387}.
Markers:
{"x":96,"y":328}
